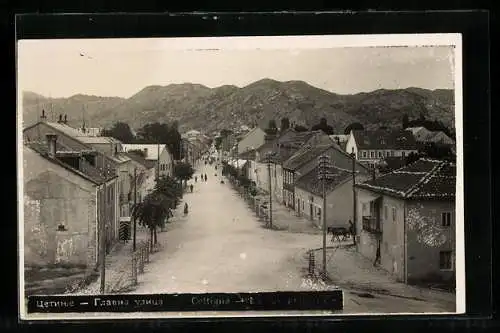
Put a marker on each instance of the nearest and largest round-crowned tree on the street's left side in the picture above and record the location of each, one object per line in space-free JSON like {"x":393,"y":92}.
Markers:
{"x":151,"y":213}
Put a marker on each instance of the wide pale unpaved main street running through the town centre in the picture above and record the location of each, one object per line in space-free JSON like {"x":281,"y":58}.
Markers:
{"x":220,"y":246}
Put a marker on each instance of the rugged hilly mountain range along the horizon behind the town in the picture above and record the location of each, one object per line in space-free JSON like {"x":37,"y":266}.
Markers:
{"x":196,"y":106}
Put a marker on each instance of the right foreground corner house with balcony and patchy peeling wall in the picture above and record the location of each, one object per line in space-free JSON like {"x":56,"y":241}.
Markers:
{"x":406,"y":221}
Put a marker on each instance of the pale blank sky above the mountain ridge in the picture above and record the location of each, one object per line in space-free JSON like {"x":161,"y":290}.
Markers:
{"x":121,"y":67}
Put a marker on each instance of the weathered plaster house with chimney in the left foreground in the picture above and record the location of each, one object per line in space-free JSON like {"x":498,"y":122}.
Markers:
{"x":65,"y":201}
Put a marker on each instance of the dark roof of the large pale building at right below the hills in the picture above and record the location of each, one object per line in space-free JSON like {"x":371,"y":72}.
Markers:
{"x":382,"y":139}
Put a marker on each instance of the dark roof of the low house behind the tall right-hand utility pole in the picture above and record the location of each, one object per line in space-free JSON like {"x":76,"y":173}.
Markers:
{"x":312,"y":184}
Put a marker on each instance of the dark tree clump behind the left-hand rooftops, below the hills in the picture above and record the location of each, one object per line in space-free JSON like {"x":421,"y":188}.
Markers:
{"x":162,"y":133}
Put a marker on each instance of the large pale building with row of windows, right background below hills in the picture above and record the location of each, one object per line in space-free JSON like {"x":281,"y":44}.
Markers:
{"x":371,"y":147}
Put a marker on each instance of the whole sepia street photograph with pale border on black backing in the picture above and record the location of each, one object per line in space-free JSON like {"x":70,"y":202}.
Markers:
{"x":241,"y":165}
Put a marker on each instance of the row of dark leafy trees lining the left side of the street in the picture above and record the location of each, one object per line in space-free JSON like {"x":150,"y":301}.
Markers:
{"x":157,"y":207}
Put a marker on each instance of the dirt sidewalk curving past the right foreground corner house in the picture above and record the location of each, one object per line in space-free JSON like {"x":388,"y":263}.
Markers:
{"x":348,"y":269}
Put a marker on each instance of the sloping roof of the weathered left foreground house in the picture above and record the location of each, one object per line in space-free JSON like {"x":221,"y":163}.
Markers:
{"x":85,"y":170}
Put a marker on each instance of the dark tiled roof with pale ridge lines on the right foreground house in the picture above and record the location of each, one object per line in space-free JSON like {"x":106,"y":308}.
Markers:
{"x":422,"y":180}
